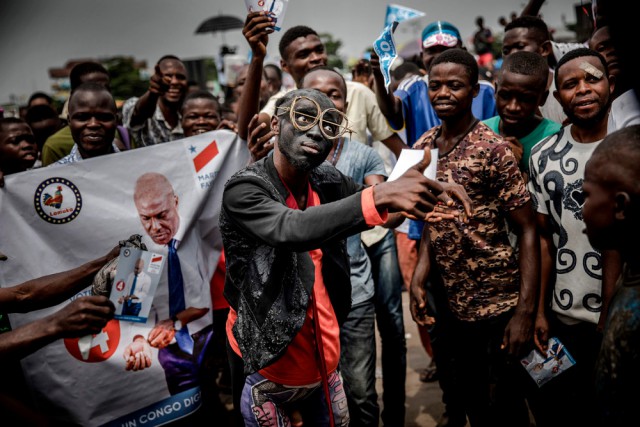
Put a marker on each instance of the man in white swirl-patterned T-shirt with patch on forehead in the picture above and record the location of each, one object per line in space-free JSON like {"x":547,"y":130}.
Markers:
{"x":577,"y":280}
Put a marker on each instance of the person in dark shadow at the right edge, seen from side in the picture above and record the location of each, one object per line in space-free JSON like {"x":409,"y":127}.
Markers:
{"x":610,"y":213}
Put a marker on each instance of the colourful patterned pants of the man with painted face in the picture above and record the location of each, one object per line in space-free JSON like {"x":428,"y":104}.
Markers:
{"x":265,"y":403}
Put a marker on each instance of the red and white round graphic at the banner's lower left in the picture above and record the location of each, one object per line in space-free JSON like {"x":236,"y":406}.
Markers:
{"x":95,"y":348}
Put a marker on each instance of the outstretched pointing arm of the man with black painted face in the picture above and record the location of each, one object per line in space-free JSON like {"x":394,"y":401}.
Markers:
{"x":248,"y":204}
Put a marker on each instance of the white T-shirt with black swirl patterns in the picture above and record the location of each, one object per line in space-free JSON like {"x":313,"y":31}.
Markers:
{"x":557,"y":171}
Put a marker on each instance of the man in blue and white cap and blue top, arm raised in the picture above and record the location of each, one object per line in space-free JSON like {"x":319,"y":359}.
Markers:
{"x":409,"y":107}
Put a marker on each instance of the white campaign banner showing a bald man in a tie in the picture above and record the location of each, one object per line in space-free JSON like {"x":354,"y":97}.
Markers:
{"x":59,"y":217}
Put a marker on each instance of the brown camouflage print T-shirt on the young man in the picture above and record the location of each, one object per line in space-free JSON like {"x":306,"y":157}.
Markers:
{"x":478,"y":265}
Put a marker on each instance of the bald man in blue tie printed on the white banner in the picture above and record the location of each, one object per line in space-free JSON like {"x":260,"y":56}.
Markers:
{"x":184,"y":331}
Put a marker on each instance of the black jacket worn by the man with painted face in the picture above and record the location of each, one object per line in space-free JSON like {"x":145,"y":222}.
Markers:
{"x":270,"y":273}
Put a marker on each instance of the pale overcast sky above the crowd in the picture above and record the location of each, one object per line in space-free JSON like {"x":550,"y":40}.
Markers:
{"x":36,"y":35}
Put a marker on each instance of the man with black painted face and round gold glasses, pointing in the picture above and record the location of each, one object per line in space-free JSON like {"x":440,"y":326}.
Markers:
{"x":283,"y":222}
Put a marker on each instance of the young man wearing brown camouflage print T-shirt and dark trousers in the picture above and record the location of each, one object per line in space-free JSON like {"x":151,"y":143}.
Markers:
{"x":491,"y":293}
